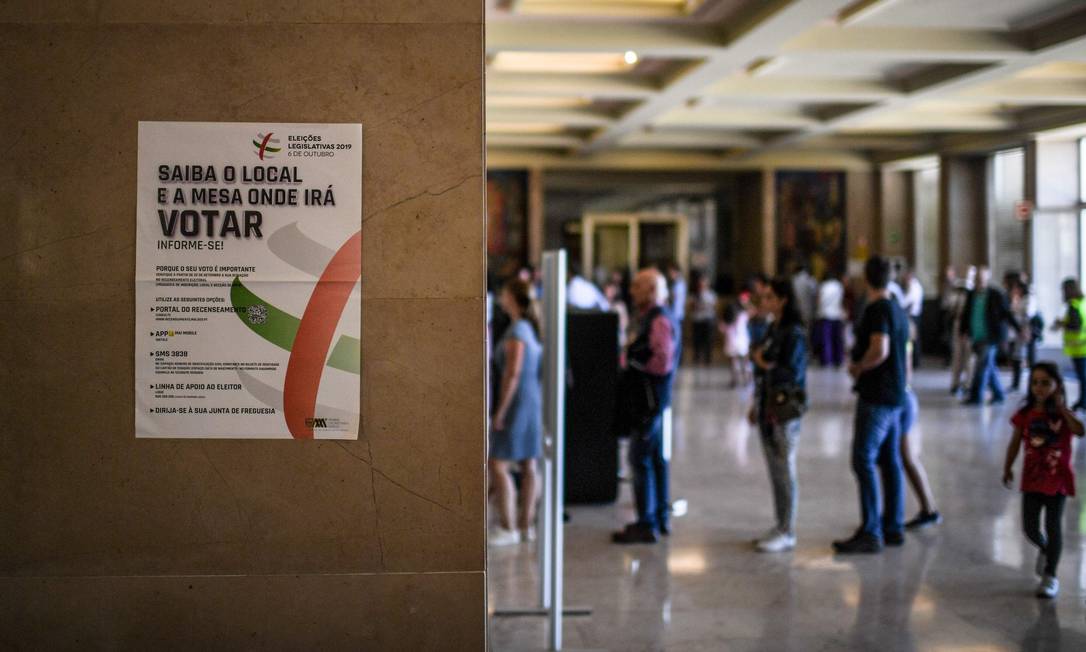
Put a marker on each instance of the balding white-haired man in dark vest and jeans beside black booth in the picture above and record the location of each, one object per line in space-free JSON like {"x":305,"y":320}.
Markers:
{"x":651,"y":365}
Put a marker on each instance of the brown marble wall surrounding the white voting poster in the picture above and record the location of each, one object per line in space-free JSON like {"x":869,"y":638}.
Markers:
{"x":116,"y":543}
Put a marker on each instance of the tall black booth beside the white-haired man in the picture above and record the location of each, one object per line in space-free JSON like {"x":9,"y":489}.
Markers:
{"x":592,"y":384}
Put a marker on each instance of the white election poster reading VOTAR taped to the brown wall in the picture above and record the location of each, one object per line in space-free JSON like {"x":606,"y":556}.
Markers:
{"x":248,"y":281}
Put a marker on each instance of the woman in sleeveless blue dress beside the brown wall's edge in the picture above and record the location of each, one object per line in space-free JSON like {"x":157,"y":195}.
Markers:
{"x":516,"y":433}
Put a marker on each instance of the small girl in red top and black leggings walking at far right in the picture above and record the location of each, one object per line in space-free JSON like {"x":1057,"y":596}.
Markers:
{"x":1044,"y":427}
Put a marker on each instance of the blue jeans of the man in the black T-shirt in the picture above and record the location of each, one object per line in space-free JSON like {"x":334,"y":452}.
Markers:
{"x":877,"y":443}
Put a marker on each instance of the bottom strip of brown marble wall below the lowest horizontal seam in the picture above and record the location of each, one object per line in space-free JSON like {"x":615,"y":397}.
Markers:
{"x":279,"y":612}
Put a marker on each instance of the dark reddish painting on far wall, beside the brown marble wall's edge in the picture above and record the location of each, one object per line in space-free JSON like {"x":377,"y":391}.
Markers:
{"x":507,"y":222}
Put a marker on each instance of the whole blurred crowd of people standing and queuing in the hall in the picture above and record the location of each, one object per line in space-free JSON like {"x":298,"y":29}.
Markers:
{"x":767,"y":332}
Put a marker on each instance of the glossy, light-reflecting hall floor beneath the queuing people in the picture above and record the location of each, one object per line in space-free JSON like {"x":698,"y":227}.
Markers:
{"x":963,"y":586}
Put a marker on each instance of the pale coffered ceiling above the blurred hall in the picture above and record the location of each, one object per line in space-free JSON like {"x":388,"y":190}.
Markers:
{"x":731,"y":83}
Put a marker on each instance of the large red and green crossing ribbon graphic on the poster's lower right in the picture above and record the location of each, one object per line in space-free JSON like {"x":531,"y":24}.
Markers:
{"x":310,"y":338}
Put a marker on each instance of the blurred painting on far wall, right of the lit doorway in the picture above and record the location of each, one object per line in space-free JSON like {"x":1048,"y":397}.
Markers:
{"x":811,"y":222}
